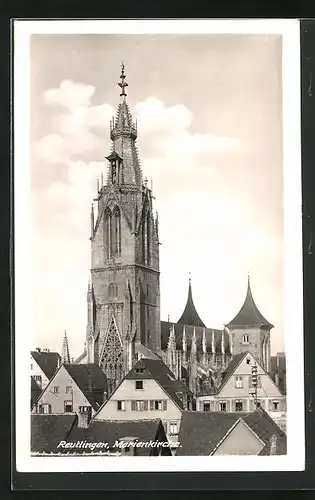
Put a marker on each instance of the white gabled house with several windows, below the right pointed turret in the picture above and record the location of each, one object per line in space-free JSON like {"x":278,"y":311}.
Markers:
{"x":235,"y":393}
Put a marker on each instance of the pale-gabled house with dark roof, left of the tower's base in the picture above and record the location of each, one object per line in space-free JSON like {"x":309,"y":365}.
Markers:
{"x":72,"y":386}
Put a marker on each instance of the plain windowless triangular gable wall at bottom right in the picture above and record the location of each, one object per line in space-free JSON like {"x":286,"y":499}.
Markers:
{"x":240,"y":440}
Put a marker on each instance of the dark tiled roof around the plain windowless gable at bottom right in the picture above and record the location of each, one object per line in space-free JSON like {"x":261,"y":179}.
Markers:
{"x":201,"y":432}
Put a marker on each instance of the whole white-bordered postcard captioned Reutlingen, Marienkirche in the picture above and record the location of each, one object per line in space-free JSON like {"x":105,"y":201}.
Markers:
{"x":158,"y":248}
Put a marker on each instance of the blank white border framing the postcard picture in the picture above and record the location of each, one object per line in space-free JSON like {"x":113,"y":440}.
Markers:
{"x":295,"y":458}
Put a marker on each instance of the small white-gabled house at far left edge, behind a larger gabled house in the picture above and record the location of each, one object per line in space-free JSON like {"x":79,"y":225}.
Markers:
{"x":43,"y":365}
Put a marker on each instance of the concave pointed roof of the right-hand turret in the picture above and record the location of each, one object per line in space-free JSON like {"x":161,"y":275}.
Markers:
{"x":249,"y":314}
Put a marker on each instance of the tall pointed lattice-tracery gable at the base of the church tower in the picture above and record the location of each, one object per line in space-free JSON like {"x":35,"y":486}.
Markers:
{"x":112,"y":359}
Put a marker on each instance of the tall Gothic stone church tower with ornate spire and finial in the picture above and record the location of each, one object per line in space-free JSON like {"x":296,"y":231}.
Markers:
{"x":123,"y":298}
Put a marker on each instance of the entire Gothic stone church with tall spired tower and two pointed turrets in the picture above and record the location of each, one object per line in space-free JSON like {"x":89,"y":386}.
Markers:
{"x":123,"y":298}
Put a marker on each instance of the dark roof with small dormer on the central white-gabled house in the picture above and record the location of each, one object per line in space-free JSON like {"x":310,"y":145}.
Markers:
{"x":157,"y":370}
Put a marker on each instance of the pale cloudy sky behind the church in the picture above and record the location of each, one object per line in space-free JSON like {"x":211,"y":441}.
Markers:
{"x":210,"y":135}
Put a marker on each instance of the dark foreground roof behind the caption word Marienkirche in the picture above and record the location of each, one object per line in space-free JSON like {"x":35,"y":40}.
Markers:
{"x":111,"y":431}
